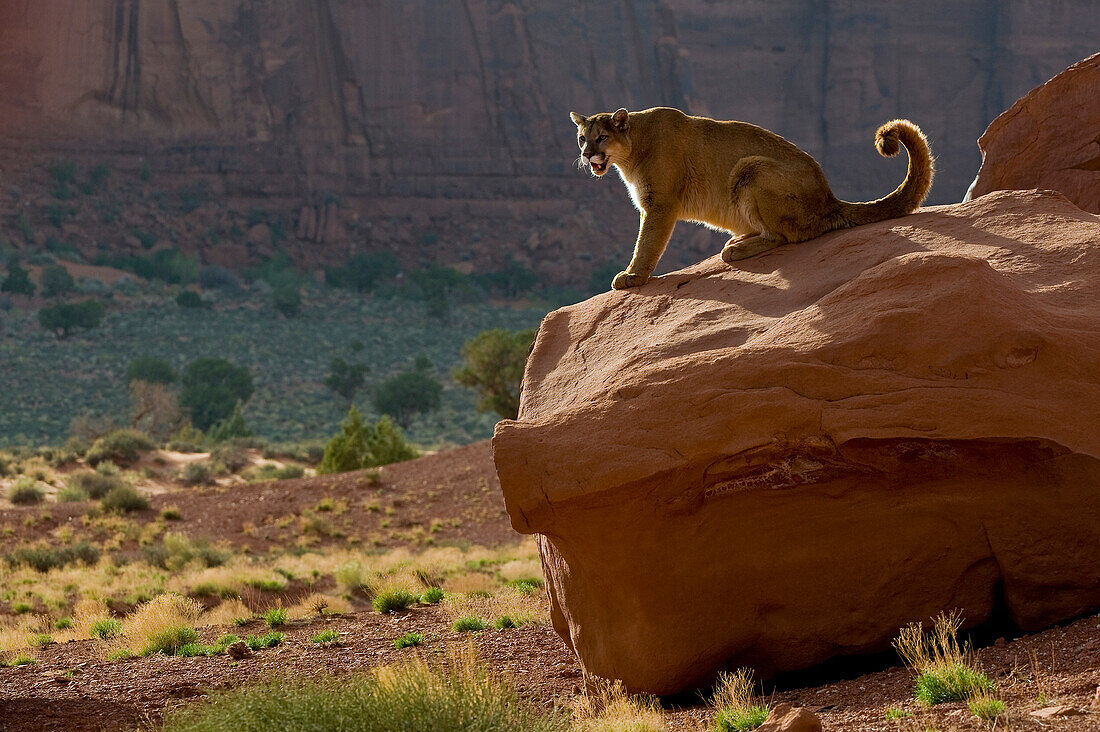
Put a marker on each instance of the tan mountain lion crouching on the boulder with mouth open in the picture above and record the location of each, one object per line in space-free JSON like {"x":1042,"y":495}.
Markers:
{"x":734,"y":177}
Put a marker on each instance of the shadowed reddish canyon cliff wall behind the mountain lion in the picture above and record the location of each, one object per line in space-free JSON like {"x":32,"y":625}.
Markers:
{"x":426,"y":118}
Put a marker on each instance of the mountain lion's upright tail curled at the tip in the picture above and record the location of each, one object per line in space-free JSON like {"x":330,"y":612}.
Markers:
{"x":915,"y":189}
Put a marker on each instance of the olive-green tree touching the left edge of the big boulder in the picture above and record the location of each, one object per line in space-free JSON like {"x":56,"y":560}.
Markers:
{"x":494,"y":366}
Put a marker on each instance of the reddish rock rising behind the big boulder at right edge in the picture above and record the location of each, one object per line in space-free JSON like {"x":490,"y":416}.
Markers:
{"x":1049,"y":139}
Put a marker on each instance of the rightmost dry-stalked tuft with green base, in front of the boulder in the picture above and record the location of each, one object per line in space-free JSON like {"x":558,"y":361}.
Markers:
{"x":944,"y":668}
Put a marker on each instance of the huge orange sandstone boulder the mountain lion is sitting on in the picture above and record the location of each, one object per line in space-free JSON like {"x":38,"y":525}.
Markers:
{"x":776,"y":465}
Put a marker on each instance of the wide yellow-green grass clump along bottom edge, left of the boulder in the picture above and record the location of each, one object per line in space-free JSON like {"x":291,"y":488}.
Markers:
{"x":413,"y":697}
